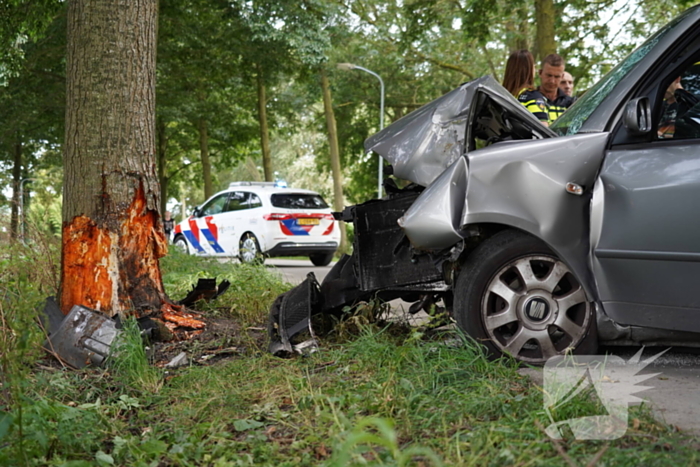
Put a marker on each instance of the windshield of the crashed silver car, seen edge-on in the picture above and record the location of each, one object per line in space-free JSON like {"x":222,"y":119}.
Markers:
{"x":572,"y":120}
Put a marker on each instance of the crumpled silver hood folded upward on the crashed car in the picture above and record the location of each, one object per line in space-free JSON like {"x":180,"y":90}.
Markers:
{"x":421,"y":145}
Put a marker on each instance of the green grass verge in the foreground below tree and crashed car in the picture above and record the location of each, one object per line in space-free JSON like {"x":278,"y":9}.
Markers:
{"x":374,"y":395}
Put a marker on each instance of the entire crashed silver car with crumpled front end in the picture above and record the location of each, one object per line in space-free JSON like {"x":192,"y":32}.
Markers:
{"x":538,"y":240}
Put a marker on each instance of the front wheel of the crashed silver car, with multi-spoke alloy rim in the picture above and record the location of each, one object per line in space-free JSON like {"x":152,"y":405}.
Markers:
{"x":517,"y":297}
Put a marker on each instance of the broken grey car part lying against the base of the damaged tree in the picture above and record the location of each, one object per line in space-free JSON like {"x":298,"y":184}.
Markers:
{"x":83,"y":338}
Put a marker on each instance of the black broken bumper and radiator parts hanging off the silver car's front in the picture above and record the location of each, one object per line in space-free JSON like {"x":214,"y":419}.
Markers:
{"x":383,"y":265}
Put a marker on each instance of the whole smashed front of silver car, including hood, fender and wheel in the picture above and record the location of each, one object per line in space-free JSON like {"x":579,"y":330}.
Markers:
{"x":481,"y":167}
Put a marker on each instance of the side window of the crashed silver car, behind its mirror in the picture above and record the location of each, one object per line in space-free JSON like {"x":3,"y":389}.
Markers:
{"x":680,"y":108}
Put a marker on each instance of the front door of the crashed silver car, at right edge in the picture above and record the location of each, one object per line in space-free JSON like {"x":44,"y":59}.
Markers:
{"x":645,"y":216}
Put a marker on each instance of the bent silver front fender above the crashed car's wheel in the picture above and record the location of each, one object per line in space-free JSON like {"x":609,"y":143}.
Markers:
{"x":521,"y":185}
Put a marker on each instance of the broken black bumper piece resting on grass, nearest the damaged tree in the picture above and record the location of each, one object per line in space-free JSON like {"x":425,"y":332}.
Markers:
{"x":290,"y":319}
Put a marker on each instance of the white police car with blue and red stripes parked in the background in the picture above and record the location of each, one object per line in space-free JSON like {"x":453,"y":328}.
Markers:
{"x":253,"y":220}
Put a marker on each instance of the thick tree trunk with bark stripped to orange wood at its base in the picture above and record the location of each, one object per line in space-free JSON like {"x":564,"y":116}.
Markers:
{"x":112,"y":233}
